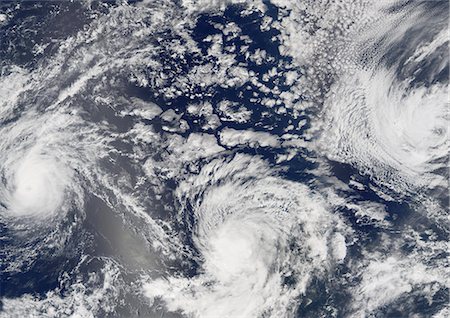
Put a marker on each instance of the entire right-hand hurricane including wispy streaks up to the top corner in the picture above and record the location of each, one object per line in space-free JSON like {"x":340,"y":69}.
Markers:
{"x":391,"y":116}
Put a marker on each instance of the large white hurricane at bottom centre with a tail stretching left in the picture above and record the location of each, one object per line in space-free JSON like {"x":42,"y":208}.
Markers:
{"x":254,"y":231}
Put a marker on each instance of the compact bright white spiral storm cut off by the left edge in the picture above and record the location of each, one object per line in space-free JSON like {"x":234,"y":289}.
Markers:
{"x":38,"y":178}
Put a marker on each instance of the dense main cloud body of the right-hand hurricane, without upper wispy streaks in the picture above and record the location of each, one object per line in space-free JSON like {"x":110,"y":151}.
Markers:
{"x":396,"y":133}
